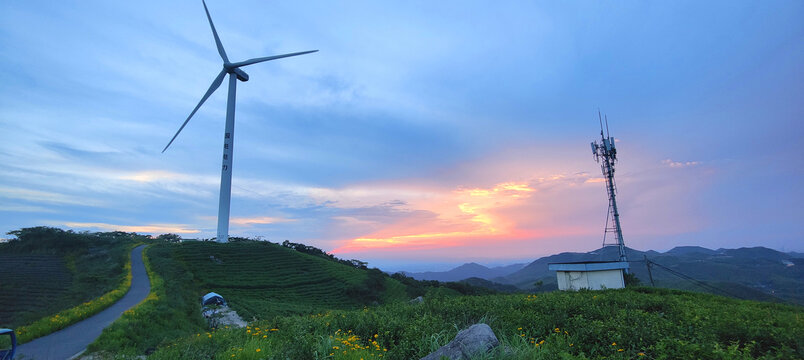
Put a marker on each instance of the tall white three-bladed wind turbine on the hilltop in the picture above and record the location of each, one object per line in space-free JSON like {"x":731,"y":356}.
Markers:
{"x":235,"y":73}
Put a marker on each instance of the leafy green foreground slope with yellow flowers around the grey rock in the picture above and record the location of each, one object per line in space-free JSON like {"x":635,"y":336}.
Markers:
{"x":616,"y":324}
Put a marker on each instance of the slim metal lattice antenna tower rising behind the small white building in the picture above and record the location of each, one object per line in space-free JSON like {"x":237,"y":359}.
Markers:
{"x":606,"y":154}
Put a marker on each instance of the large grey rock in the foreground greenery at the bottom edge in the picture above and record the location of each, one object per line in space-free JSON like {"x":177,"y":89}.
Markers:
{"x":474,"y":340}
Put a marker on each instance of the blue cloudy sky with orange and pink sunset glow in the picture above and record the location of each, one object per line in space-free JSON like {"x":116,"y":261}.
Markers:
{"x":422,"y":134}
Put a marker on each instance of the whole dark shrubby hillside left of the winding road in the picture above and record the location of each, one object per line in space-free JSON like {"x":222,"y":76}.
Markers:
{"x":49,"y":270}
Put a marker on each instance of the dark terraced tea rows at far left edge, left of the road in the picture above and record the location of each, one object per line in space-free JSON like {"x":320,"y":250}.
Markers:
{"x":32,"y":287}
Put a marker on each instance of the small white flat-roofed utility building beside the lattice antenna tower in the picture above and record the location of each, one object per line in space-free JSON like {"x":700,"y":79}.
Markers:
{"x":592,"y":275}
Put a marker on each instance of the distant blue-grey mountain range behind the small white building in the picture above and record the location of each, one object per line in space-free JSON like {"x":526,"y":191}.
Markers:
{"x":756,"y":273}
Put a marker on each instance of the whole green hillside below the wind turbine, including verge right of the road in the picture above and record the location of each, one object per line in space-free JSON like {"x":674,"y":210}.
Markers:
{"x":259,"y":280}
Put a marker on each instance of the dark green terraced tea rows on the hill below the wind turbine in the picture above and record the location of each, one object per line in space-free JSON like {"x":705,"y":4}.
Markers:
{"x":261,"y":280}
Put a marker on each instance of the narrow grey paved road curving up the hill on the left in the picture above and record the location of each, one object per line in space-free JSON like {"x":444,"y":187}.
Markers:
{"x":69,"y":341}
